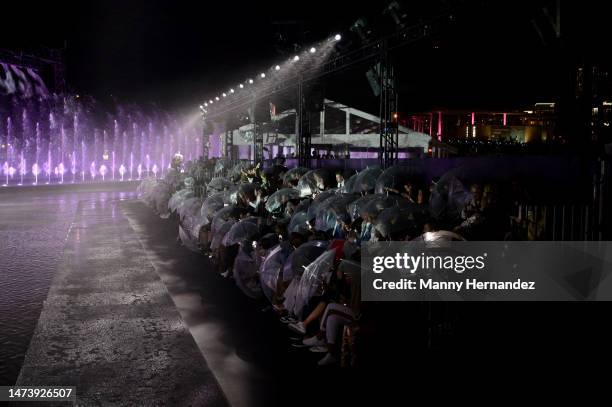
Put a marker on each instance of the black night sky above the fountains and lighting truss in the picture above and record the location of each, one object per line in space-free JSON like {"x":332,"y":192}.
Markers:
{"x":177,"y":52}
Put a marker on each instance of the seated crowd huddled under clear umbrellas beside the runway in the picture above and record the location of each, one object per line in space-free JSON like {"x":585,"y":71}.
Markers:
{"x":293,"y":236}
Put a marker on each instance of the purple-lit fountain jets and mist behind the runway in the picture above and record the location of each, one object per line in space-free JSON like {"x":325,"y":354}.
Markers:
{"x":72,"y":139}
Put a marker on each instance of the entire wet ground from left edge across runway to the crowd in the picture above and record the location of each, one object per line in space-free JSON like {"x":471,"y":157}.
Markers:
{"x":130,"y":316}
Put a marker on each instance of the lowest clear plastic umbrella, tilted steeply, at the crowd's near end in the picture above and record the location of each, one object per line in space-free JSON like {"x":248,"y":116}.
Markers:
{"x":315,"y":276}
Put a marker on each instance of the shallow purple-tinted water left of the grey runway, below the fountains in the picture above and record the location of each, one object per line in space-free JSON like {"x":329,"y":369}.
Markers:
{"x":34,"y":224}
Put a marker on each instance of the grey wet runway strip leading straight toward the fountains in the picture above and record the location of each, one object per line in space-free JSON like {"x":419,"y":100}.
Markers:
{"x":109,"y":326}
